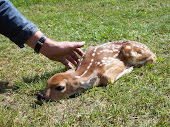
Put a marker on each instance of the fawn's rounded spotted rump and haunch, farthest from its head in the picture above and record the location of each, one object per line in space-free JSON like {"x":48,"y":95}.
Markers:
{"x":137,"y":54}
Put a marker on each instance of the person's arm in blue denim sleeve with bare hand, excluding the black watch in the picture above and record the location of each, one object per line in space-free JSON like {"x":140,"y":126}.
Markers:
{"x":20,"y":30}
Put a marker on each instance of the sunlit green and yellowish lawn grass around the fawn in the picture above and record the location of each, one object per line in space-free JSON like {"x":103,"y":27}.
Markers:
{"x":138,"y":99}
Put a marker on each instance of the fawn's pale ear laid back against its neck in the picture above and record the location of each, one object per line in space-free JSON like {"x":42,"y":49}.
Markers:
{"x":88,"y":84}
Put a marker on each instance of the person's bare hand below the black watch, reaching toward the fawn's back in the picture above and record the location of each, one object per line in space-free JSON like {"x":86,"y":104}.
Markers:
{"x":63,"y":52}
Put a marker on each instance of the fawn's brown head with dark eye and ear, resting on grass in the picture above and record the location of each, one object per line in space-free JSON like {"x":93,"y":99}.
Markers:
{"x":63,"y":85}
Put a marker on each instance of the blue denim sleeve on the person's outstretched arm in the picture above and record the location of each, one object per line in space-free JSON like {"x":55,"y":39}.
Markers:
{"x":14,"y":25}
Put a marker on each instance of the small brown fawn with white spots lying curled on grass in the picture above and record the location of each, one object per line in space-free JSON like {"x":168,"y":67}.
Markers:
{"x":100,"y":65}
